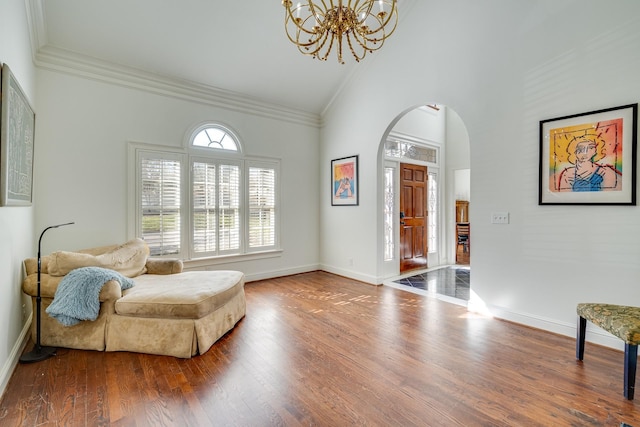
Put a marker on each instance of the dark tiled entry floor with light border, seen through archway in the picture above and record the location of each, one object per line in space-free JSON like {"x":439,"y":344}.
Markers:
{"x":449,"y":283}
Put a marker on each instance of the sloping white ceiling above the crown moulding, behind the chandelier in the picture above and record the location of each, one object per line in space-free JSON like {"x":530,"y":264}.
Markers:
{"x":237,"y":46}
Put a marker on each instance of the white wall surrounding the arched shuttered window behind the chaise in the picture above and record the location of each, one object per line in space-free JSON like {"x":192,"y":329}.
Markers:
{"x":82,"y":163}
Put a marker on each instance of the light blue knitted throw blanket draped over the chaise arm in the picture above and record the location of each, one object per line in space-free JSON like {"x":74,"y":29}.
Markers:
{"x":77,"y":296}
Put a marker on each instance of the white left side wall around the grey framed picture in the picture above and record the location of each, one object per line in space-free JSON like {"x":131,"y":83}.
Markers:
{"x":16,"y":223}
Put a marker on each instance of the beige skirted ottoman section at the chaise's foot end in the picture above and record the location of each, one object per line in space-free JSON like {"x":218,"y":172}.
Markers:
{"x":179,"y":314}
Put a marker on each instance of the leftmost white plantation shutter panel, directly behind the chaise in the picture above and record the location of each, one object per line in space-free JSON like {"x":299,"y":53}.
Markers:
{"x":159,"y":184}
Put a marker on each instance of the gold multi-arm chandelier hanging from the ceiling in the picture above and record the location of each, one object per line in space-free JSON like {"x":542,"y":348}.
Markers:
{"x":315,"y":26}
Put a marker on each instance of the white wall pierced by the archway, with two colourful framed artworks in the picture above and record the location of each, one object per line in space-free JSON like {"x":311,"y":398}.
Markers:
{"x":502,"y":65}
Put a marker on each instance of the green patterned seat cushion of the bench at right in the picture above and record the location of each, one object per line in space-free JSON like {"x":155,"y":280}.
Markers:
{"x":620,"y":320}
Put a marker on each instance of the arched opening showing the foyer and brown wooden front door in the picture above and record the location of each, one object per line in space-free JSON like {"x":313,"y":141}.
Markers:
{"x":434,"y":138}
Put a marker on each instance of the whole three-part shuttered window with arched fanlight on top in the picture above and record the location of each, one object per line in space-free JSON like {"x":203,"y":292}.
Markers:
{"x":226,"y":205}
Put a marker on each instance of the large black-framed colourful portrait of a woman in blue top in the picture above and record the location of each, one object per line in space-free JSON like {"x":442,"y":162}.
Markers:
{"x":589,"y":158}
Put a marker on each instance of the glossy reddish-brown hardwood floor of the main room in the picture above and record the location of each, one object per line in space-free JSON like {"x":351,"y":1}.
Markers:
{"x":320,"y":350}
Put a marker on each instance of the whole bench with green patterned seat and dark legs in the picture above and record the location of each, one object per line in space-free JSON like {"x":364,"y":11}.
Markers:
{"x":623,"y":322}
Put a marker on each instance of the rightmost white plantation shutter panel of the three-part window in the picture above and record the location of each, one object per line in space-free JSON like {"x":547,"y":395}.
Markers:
{"x":262,"y":207}
